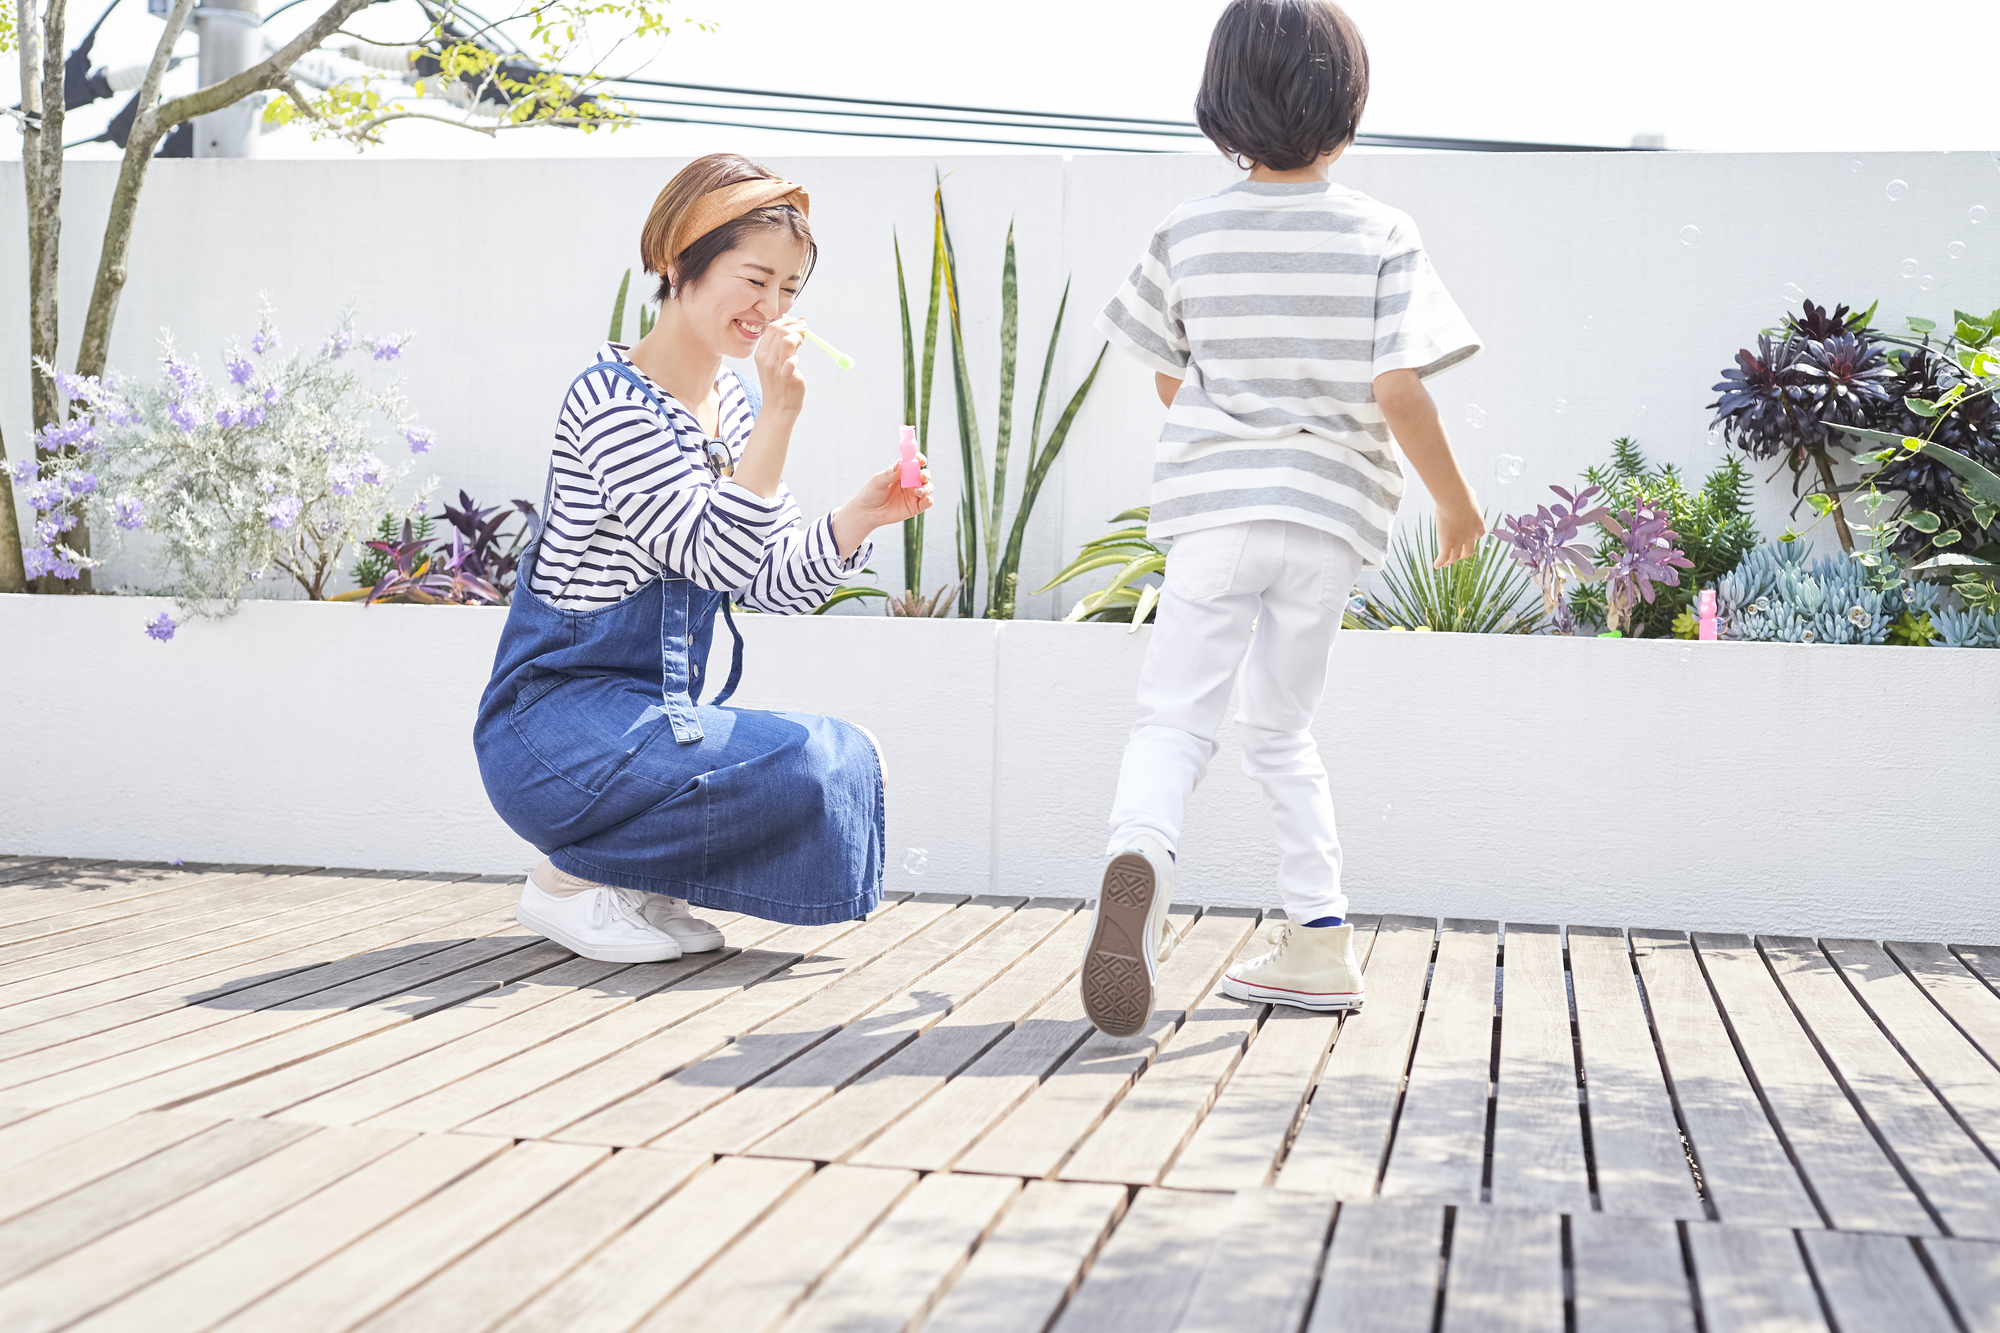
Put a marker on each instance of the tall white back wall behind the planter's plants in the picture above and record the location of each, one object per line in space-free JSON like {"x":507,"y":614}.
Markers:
{"x":1571,"y":267}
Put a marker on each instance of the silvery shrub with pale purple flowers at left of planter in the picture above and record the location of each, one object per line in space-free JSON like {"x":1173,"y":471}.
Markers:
{"x":277,"y":463}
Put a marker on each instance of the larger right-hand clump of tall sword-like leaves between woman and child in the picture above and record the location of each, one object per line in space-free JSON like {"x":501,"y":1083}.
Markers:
{"x":983,"y":501}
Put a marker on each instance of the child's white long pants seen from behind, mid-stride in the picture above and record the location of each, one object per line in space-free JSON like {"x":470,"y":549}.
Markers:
{"x":1293,"y":581}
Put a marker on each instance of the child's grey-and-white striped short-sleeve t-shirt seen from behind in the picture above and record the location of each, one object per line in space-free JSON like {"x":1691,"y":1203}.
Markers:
{"x":1277,"y":307}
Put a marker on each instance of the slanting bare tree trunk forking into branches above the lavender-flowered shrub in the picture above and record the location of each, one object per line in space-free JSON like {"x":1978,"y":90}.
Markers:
{"x":153,"y":125}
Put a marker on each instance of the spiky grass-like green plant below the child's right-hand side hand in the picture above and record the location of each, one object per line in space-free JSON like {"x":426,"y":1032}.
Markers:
{"x":1487,"y":593}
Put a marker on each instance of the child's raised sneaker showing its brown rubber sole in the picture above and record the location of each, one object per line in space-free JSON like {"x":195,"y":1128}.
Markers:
{"x":1129,"y":938}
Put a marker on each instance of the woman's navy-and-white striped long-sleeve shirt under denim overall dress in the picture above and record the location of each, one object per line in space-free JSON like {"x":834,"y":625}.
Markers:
{"x":635,"y":497}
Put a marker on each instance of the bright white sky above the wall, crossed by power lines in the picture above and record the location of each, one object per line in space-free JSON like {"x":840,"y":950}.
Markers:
{"x":1709,"y":75}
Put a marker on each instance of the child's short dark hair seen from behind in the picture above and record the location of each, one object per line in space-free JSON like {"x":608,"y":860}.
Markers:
{"x":1285,"y":83}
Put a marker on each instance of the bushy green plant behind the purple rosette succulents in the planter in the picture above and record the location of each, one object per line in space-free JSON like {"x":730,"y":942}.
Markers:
{"x":1713,"y":527}
